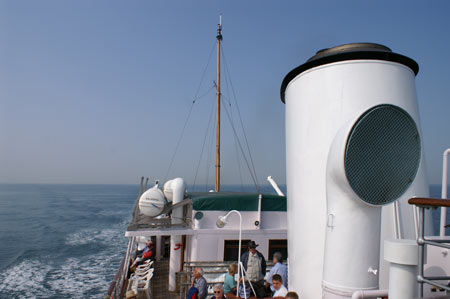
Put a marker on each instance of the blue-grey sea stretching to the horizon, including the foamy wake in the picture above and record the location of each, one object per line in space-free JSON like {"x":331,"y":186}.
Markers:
{"x":67,"y":241}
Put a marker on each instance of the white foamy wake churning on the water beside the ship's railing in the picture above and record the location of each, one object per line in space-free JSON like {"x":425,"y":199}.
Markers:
{"x":85,"y":277}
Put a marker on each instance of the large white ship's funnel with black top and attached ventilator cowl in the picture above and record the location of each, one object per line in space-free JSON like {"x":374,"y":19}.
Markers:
{"x":324,"y":99}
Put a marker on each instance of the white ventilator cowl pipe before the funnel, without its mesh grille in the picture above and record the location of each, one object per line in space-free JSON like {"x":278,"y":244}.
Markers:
{"x":352,"y":250}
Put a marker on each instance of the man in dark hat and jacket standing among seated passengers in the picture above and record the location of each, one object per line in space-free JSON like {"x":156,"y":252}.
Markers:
{"x":255,"y":266}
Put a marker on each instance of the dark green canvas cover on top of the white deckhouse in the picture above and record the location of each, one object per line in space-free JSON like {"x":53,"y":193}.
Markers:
{"x":227,"y":201}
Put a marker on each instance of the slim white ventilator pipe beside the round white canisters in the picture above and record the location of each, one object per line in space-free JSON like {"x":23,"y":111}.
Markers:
{"x":177,"y":190}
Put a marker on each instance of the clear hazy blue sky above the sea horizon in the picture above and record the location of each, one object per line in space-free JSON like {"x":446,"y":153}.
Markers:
{"x":98,"y":91}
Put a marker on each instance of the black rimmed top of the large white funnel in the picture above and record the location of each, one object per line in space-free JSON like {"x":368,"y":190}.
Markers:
{"x":354,"y":51}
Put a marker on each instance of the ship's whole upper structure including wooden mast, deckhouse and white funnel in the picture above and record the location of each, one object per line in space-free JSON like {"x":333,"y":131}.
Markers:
{"x":355,"y":220}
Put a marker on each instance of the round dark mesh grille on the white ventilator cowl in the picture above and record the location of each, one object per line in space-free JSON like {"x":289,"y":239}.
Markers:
{"x":382,"y":155}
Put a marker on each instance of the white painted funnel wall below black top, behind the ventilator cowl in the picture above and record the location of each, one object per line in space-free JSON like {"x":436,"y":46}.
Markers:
{"x":318,"y":102}
